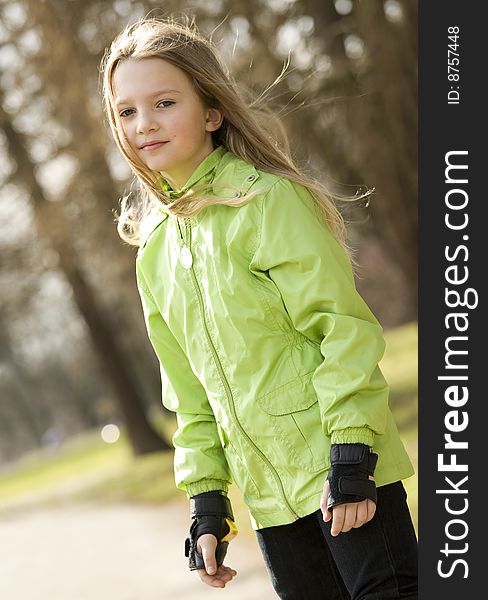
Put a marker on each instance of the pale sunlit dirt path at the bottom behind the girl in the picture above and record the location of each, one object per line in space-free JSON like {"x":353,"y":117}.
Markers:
{"x":113,"y":552}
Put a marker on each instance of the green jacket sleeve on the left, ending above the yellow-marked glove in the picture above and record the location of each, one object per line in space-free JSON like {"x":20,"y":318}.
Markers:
{"x":199,"y":461}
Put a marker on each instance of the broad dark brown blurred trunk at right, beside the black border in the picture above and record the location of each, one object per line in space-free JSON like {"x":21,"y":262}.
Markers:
{"x":385,"y":128}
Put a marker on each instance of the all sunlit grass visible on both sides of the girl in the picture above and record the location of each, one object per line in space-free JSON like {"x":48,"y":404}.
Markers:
{"x":86,"y":468}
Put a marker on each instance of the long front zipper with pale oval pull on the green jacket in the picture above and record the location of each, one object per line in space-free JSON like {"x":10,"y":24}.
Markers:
{"x":223,"y":378}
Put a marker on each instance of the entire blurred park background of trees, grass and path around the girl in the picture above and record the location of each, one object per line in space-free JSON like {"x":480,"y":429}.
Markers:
{"x":87,"y":501}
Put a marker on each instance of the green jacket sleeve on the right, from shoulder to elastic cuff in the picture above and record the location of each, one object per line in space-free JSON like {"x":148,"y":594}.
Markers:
{"x":314,"y":277}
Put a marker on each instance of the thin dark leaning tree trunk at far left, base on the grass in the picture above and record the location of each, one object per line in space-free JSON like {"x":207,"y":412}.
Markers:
{"x":50,"y":225}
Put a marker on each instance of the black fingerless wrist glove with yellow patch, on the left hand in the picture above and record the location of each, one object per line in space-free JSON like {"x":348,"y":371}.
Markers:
{"x":211,"y":513}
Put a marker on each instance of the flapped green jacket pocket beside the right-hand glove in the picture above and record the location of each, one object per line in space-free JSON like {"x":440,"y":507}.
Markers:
{"x":292,"y":414}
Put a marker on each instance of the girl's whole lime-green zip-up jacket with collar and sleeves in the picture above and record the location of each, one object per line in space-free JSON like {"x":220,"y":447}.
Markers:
{"x":268,"y":354}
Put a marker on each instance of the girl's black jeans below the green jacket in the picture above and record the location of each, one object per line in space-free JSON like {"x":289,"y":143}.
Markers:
{"x":377,"y":561}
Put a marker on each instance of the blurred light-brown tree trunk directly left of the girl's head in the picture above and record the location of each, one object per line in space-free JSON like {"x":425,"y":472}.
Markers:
{"x":92,"y":190}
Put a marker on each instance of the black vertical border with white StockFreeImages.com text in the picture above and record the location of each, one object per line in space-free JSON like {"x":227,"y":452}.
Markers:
{"x":447,"y":127}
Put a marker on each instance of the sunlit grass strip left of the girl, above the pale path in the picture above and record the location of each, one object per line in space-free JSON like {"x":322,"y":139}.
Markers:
{"x":87,"y":468}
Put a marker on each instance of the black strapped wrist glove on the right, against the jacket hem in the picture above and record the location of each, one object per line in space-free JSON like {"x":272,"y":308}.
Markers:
{"x":351,"y":466}
